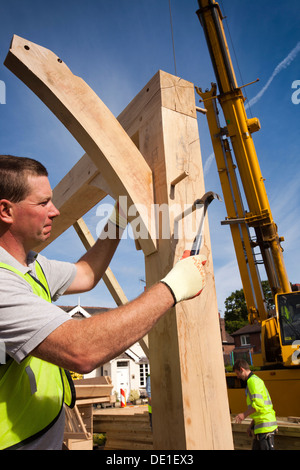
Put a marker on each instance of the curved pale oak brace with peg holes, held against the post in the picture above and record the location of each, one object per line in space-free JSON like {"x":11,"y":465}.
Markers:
{"x":91,"y":123}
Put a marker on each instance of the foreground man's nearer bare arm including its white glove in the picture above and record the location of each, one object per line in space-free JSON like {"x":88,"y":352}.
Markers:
{"x":83,"y":345}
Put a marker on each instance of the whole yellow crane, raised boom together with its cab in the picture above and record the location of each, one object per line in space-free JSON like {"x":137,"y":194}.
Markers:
{"x":252,"y":229}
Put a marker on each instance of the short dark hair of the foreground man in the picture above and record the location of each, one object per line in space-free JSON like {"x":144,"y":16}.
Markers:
{"x":14,"y":172}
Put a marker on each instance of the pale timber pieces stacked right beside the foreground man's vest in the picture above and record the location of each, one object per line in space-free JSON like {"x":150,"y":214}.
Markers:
{"x":78,"y":434}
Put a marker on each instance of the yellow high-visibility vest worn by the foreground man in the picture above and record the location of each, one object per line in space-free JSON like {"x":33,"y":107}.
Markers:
{"x":32,"y":393}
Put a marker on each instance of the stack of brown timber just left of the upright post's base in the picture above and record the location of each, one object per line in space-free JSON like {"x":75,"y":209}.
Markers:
{"x":126,"y":428}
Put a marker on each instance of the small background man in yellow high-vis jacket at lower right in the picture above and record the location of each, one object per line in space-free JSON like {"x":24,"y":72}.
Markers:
{"x":260,"y":408}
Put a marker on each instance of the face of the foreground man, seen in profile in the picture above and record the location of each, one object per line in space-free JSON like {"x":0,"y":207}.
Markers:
{"x":34,"y":215}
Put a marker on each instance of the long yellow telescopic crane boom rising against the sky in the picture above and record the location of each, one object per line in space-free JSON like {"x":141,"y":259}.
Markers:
{"x":237,"y":131}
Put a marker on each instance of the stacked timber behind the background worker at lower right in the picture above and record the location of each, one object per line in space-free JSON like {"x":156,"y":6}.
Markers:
{"x":287,"y":437}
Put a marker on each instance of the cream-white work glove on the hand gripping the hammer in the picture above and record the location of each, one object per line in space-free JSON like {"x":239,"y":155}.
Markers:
{"x":187,"y":279}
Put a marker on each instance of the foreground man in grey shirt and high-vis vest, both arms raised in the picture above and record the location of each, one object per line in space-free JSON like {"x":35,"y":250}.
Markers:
{"x":41,"y":341}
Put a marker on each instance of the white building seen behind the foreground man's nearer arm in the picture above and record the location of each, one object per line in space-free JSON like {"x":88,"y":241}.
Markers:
{"x":129,"y":370}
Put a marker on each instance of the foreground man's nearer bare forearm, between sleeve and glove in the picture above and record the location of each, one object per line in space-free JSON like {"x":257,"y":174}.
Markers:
{"x":83,"y":345}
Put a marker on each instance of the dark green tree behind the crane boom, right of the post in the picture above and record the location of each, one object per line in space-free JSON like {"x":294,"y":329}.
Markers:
{"x":236,"y":314}
